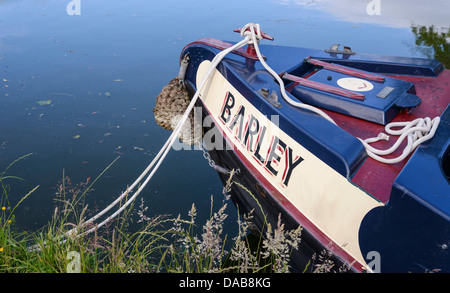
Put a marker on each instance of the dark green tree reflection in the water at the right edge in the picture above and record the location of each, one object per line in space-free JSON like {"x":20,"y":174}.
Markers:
{"x":428,"y":38}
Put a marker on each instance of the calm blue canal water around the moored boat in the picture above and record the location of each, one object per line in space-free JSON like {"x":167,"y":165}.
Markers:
{"x":78,"y":82}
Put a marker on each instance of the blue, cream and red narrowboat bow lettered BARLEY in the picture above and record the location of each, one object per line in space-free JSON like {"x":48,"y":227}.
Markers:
{"x":374,"y":210}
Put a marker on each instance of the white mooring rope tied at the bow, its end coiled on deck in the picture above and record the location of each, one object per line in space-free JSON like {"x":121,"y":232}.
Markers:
{"x":416,"y":131}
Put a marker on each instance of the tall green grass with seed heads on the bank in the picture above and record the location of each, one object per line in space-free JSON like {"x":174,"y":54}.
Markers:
{"x":149,"y":245}
